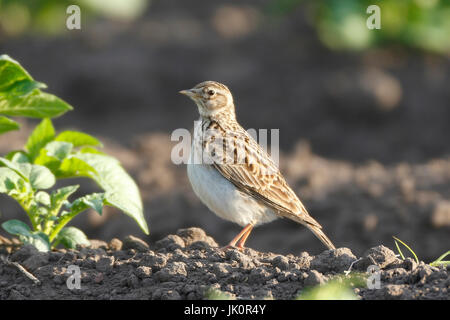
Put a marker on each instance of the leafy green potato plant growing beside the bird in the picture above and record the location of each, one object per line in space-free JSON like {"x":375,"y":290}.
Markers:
{"x":29,"y":175}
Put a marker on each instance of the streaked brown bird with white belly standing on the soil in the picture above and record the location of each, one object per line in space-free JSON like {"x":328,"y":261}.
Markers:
{"x":233,"y":175}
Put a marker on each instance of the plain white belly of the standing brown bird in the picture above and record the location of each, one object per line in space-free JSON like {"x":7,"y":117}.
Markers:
{"x":223,"y":198}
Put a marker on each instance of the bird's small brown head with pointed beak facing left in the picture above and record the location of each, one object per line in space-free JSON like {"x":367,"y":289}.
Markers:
{"x":211,"y":98}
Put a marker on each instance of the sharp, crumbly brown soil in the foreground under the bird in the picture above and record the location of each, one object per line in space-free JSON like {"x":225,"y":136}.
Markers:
{"x":188,"y":264}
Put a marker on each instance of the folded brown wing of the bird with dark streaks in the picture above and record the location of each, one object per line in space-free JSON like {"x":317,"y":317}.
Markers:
{"x":248,"y":166}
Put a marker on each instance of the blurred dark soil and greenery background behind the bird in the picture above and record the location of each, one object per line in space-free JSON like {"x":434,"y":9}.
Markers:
{"x":363,"y":114}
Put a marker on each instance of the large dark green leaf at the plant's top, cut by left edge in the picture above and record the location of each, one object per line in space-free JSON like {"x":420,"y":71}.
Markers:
{"x":20,"y":94}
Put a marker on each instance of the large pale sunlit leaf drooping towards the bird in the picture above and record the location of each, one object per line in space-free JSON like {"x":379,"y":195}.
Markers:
{"x":121,"y":190}
